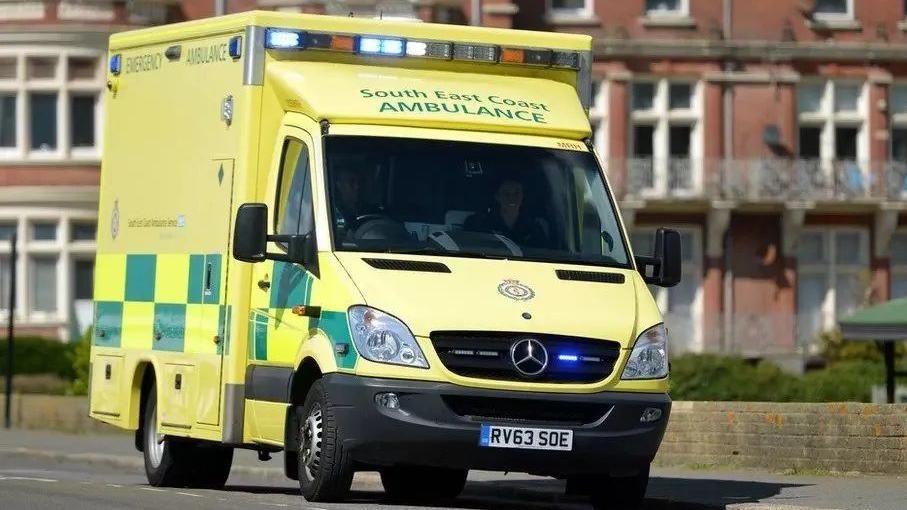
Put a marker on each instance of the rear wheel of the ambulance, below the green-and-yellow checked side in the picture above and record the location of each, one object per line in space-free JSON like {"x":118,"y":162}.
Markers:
{"x":181,"y":462}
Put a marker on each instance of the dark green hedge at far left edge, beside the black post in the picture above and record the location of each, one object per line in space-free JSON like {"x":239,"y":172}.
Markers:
{"x":36,"y":355}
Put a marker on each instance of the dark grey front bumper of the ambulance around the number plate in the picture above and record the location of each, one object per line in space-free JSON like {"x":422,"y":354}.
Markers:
{"x":426,"y":430}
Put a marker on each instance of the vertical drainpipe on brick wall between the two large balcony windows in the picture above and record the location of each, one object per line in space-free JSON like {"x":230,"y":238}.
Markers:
{"x":728,"y":136}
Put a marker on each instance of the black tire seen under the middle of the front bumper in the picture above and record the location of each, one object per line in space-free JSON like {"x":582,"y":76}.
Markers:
{"x":412,"y":484}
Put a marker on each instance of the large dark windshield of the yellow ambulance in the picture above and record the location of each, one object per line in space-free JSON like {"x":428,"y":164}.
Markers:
{"x":461,"y":199}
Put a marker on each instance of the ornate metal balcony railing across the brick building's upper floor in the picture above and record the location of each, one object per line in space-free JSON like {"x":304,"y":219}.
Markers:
{"x":759,"y":180}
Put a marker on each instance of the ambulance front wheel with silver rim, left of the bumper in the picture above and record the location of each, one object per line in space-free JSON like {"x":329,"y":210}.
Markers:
{"x":325,"y":468}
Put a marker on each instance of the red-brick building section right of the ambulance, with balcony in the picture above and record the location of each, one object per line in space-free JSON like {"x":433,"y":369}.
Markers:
{"x":773,"y":135}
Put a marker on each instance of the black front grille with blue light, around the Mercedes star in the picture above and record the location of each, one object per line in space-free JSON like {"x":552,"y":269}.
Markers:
{"x":487,"y":355}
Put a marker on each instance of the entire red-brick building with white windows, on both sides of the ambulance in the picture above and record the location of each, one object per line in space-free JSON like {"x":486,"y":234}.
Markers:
{"x":772,"y":134}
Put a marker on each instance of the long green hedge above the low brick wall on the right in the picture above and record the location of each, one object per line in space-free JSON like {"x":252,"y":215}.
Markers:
{"x":710,"y":377}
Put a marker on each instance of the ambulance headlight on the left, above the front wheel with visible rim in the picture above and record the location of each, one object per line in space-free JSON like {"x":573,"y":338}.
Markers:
{"x":382,"y":338}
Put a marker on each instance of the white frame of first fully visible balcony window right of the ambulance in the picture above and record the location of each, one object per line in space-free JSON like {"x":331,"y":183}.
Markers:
{"x":662,"y":118}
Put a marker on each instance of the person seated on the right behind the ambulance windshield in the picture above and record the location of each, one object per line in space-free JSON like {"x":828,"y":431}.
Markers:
{"x":509,"y":218}
